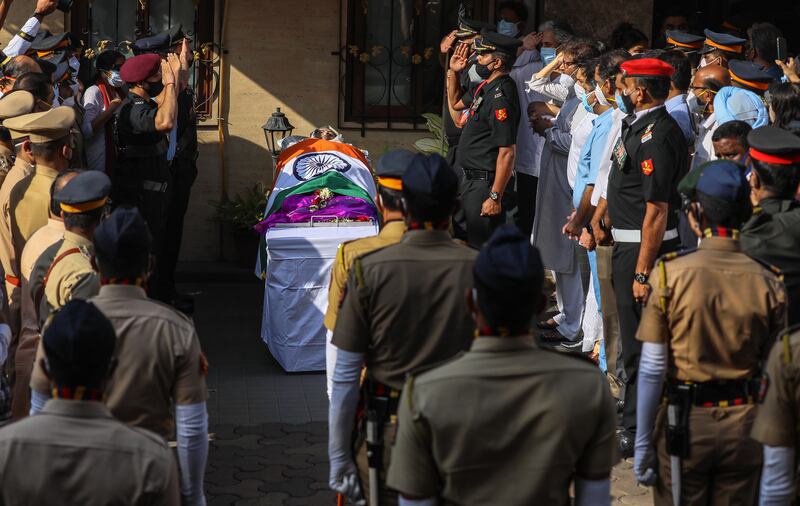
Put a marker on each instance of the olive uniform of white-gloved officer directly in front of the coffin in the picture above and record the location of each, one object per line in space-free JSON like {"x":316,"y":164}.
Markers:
{"x":404,"y":309}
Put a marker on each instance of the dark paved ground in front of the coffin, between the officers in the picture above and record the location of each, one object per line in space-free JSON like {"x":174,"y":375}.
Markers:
{"x":270,"y":427}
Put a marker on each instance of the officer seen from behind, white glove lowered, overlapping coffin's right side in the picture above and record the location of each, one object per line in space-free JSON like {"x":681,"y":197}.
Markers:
{"x":403,"y":309}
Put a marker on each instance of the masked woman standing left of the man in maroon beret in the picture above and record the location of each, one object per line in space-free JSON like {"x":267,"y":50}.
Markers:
{"x":100,"y":102}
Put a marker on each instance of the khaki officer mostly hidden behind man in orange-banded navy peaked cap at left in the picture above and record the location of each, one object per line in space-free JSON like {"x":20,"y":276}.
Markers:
{"x":47,"y":236}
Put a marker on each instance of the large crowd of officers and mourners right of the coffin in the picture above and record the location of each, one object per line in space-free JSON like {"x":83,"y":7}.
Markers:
{"x":676,"y":276}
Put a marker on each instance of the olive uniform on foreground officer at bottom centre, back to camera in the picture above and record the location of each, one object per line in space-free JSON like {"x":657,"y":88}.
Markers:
{"x":505,"y":423}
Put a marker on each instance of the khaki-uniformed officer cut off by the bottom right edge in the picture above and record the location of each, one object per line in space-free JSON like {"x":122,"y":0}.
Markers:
{"x":777,"y":424}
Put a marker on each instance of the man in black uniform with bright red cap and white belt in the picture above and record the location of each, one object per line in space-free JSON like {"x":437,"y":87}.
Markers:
{"x":643,"y":204}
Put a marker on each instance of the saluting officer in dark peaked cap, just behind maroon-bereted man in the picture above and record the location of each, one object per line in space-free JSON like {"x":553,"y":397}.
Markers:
{"x":181,"y":153}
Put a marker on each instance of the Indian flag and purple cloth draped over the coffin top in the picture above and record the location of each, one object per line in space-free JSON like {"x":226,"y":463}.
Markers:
{"x":318,"y":181}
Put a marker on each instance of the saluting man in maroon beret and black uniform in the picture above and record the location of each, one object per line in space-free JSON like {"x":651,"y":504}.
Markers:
{"x":141,"y":175}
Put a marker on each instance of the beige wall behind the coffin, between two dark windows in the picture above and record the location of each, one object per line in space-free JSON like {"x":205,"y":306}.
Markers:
{"x":278,"y":55}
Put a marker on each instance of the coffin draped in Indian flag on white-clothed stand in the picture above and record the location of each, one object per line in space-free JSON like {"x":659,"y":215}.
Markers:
{"x":324,"y":194}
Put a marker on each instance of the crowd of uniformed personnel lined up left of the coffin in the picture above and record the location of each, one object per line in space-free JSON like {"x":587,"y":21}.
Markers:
{"x":97,"y":159}
